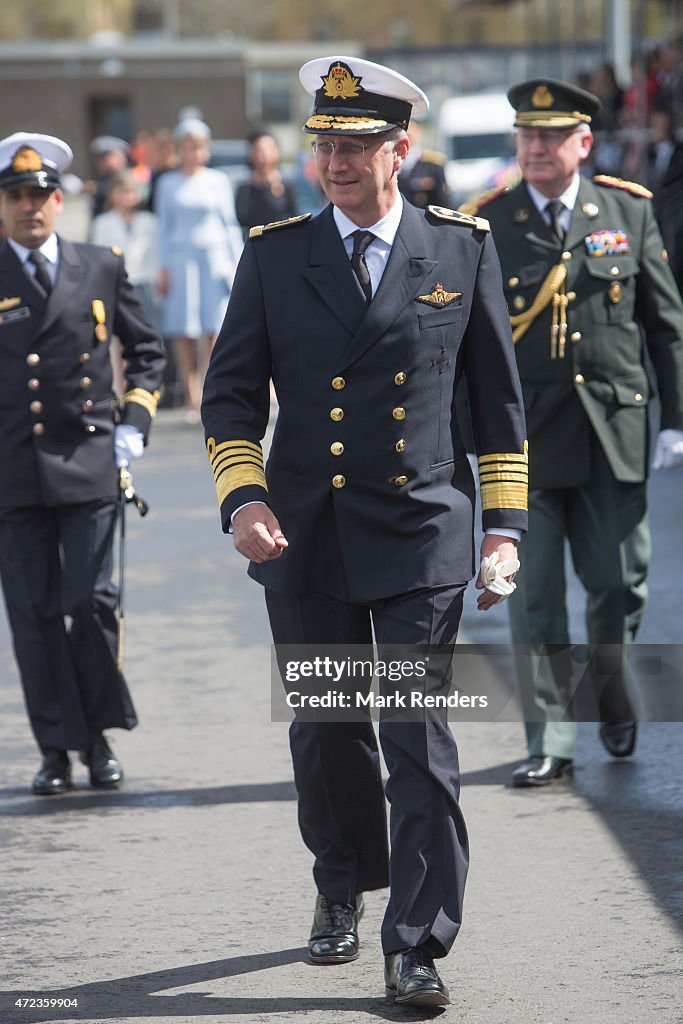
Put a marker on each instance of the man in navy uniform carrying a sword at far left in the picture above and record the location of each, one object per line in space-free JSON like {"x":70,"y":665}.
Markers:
{"x":63,"y":436}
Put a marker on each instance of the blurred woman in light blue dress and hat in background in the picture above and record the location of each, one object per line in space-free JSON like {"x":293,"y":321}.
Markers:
{"x":200,"y":246}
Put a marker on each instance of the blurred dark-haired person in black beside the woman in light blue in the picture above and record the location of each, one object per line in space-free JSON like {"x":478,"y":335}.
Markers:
{"x":266,"y":197}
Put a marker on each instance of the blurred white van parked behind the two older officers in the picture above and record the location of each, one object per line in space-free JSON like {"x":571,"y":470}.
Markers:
{"x":476,"y":135}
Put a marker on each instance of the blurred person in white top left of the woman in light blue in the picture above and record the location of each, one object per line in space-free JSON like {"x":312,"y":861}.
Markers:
{"x":136,"y":233}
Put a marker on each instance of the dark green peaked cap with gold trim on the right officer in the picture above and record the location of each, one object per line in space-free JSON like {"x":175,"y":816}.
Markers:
{"x":545,"y":103}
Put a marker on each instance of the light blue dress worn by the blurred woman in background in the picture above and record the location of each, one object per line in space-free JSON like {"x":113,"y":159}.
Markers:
{"x":200,"y":246}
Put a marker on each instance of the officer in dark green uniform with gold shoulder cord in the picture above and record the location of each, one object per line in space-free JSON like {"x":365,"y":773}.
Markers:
{"x":591,"y":296}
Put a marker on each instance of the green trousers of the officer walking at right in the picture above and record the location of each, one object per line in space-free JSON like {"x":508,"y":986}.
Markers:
{"x":606,"y":524}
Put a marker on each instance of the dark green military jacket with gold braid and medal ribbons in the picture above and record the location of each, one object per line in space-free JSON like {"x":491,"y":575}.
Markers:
{"x":619,"y":323}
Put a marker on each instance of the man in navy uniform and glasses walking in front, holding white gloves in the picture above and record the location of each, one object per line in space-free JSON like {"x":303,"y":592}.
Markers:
{"x":366,"y":317}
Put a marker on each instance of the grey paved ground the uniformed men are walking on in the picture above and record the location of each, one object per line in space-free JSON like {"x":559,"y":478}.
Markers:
{"x":188,"y":895}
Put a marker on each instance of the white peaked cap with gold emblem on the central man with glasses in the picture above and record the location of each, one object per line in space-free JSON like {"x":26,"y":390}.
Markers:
{"x":359,"y":97}
